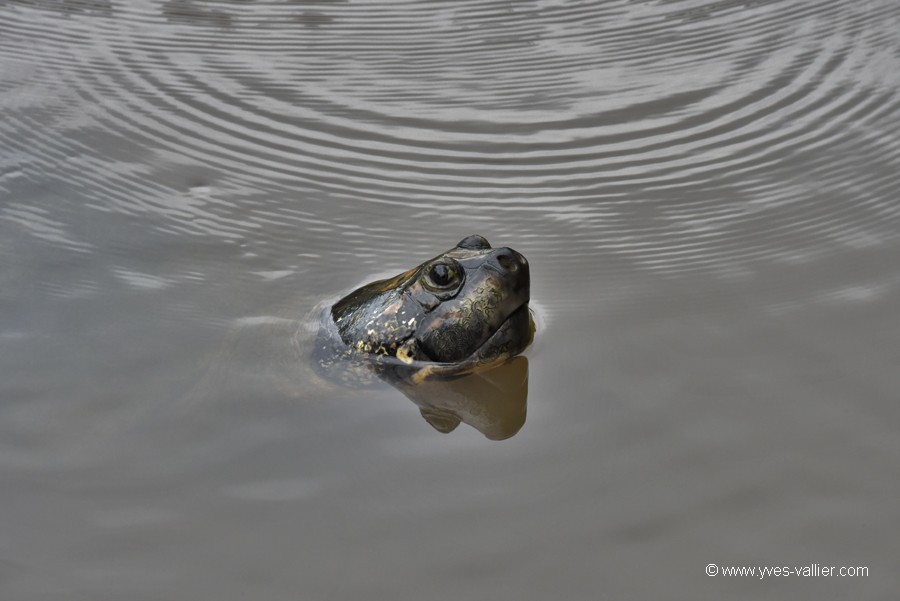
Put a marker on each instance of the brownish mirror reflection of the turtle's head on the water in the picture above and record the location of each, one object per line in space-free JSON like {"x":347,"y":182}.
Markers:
{"x":493,"y":402}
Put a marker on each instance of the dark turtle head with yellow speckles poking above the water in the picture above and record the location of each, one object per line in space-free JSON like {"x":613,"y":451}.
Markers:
{"x":469,"y":304}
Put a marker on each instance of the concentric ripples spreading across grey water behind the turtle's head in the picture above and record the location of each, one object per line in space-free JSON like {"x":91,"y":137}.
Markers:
{"x":677,"y":135}
